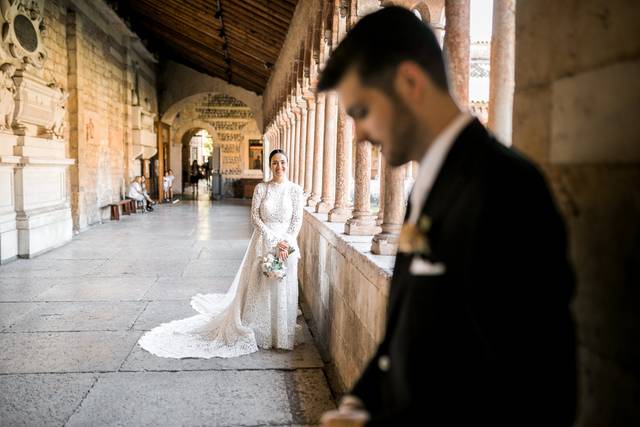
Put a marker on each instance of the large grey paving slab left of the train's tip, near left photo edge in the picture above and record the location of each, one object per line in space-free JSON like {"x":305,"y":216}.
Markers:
{"x":79,"y":316}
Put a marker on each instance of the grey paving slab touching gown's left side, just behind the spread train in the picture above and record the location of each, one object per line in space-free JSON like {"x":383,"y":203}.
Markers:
{"x":169,"y":288}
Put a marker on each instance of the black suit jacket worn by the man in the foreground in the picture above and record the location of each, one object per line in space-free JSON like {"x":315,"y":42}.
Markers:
{"x":492,"y":339}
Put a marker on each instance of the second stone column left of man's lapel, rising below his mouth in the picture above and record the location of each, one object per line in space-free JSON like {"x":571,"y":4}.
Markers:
{"x":362,"y":223}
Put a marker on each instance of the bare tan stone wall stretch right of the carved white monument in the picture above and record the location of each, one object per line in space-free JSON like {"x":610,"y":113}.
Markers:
{"x":107,"y":110}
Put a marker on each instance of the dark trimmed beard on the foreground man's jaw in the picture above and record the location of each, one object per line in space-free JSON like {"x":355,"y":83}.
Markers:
{"x":405,"y":134}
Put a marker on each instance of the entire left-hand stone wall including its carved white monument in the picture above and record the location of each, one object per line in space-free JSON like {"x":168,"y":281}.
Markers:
{"x":78,"y":102}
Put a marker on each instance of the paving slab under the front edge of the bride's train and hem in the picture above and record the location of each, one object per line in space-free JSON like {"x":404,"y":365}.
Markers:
{"x":304,"y":355}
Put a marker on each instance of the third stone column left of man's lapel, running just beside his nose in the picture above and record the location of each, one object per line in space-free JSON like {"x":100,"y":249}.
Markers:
{"x":341,"y":211}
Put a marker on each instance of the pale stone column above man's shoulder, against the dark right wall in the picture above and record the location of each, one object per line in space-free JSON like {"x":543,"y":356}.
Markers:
{"x":502,"y":72}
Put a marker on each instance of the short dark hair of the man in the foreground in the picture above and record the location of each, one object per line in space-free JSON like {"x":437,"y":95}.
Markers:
{"x":378,"y":43}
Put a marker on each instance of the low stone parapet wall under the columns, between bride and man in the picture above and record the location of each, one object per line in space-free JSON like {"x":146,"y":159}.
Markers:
{"x":344,"y":290}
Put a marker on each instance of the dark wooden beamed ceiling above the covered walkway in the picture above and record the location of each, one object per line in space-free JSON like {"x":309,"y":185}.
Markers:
{"x":235,"y":40}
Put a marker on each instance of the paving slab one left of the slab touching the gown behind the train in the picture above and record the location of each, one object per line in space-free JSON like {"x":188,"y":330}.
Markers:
{"x":99,"y":289}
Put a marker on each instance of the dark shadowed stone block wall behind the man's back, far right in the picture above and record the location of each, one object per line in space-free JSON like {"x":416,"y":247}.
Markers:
{"x":575,"y":112}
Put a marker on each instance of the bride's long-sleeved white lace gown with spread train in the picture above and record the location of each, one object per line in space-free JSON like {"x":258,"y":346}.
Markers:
{"x":256,"y":312}
